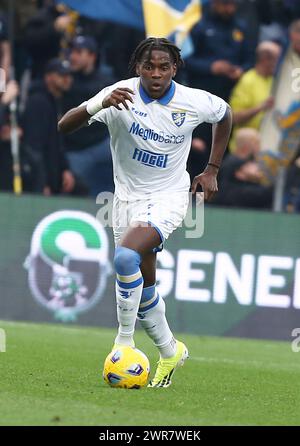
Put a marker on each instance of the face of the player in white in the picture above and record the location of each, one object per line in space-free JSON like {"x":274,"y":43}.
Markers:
{"x":157,"y":73}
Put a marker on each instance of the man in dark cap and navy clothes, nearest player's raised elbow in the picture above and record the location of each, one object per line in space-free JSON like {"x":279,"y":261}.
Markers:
{"x":40,"y":130}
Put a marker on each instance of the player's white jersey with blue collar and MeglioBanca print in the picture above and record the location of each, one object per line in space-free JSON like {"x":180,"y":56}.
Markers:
{"x":150,"y":142}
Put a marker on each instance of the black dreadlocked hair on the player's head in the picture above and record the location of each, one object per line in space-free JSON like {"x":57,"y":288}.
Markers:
{"x":155,"y":43}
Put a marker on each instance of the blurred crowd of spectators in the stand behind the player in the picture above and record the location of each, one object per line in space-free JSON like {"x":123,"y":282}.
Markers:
{"x":245,"y":51}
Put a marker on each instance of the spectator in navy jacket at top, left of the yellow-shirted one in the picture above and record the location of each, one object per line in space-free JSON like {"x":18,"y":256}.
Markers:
{"x":221,"y":50}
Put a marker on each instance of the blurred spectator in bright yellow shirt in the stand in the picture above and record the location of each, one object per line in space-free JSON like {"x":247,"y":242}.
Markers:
{"x":251,"y":96}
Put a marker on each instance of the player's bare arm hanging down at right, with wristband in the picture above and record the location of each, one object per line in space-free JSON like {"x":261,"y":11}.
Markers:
{"x":220,"y":137}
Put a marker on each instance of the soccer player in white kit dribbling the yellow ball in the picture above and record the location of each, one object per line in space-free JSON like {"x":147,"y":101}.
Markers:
{"x":151,"y":118}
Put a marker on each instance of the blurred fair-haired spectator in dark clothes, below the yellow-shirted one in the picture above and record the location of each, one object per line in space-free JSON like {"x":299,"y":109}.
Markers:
{"x":240,"y":176}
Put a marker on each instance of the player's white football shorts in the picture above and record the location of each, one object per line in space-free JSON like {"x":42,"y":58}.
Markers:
{"x":164,"y":212}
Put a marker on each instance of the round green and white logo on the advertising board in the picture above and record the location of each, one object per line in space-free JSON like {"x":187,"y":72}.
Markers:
{"x":68,"y":263}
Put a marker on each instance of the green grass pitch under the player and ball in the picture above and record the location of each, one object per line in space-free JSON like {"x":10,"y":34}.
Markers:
{"x":52,"y":375}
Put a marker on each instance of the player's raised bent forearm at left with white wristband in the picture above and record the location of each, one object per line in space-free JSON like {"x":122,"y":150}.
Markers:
{"x":79,"y":116}
